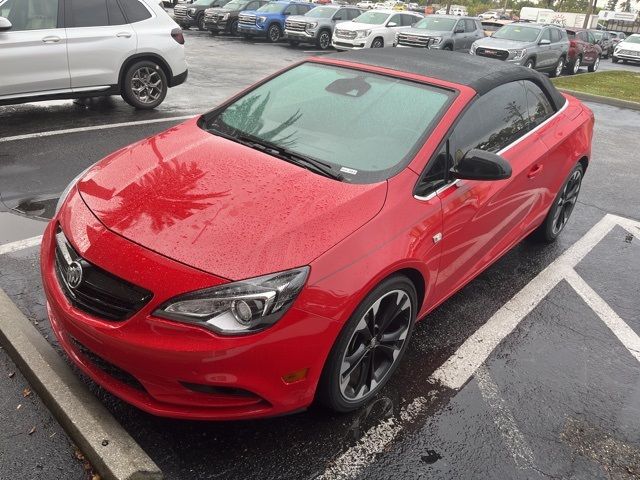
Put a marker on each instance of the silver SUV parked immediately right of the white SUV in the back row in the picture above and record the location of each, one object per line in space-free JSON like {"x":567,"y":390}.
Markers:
{"x":446,"y":32}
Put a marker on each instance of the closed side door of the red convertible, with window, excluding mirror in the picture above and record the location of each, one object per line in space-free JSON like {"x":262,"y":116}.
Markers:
{"x":481,"y":219}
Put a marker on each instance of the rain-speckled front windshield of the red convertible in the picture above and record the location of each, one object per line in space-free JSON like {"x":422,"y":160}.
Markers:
{"x":365,"y":126}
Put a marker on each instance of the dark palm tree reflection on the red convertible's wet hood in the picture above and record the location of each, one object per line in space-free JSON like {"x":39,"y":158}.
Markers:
{"x":164,"y":194}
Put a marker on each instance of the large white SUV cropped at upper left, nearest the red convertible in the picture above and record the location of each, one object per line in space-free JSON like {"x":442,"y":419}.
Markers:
{"x":81,"y":48}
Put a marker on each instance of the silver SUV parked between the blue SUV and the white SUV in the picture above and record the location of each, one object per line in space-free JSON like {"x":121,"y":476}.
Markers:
{"x":316,"y":26}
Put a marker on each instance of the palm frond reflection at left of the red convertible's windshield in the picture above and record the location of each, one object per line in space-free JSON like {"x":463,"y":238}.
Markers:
{"x":246,"y":117}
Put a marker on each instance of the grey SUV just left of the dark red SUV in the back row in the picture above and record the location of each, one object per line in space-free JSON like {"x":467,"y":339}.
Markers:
{"x":539,"y":46}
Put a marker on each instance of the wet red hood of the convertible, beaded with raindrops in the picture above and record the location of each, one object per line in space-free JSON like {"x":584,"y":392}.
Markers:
{"x":222,"y":207}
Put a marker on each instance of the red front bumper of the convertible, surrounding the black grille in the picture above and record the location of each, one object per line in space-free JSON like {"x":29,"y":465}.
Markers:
{"x":168,"y":368}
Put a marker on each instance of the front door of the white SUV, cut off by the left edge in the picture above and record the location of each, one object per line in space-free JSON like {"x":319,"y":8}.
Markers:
{"x":33,"y":52}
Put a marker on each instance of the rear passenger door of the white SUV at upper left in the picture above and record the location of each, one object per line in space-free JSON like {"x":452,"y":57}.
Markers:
{"x":99,"y":40}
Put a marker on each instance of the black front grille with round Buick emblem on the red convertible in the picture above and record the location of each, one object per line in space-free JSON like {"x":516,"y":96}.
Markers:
{"x":98,"y":292}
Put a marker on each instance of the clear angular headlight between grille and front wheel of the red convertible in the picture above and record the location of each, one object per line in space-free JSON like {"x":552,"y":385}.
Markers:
{"x":240,"y":307}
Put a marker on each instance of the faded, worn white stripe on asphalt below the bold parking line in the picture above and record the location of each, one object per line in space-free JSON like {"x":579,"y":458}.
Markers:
{"x":504,"y":420}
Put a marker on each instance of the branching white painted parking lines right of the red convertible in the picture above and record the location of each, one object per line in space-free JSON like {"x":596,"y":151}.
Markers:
{"x":470,"y":356}
